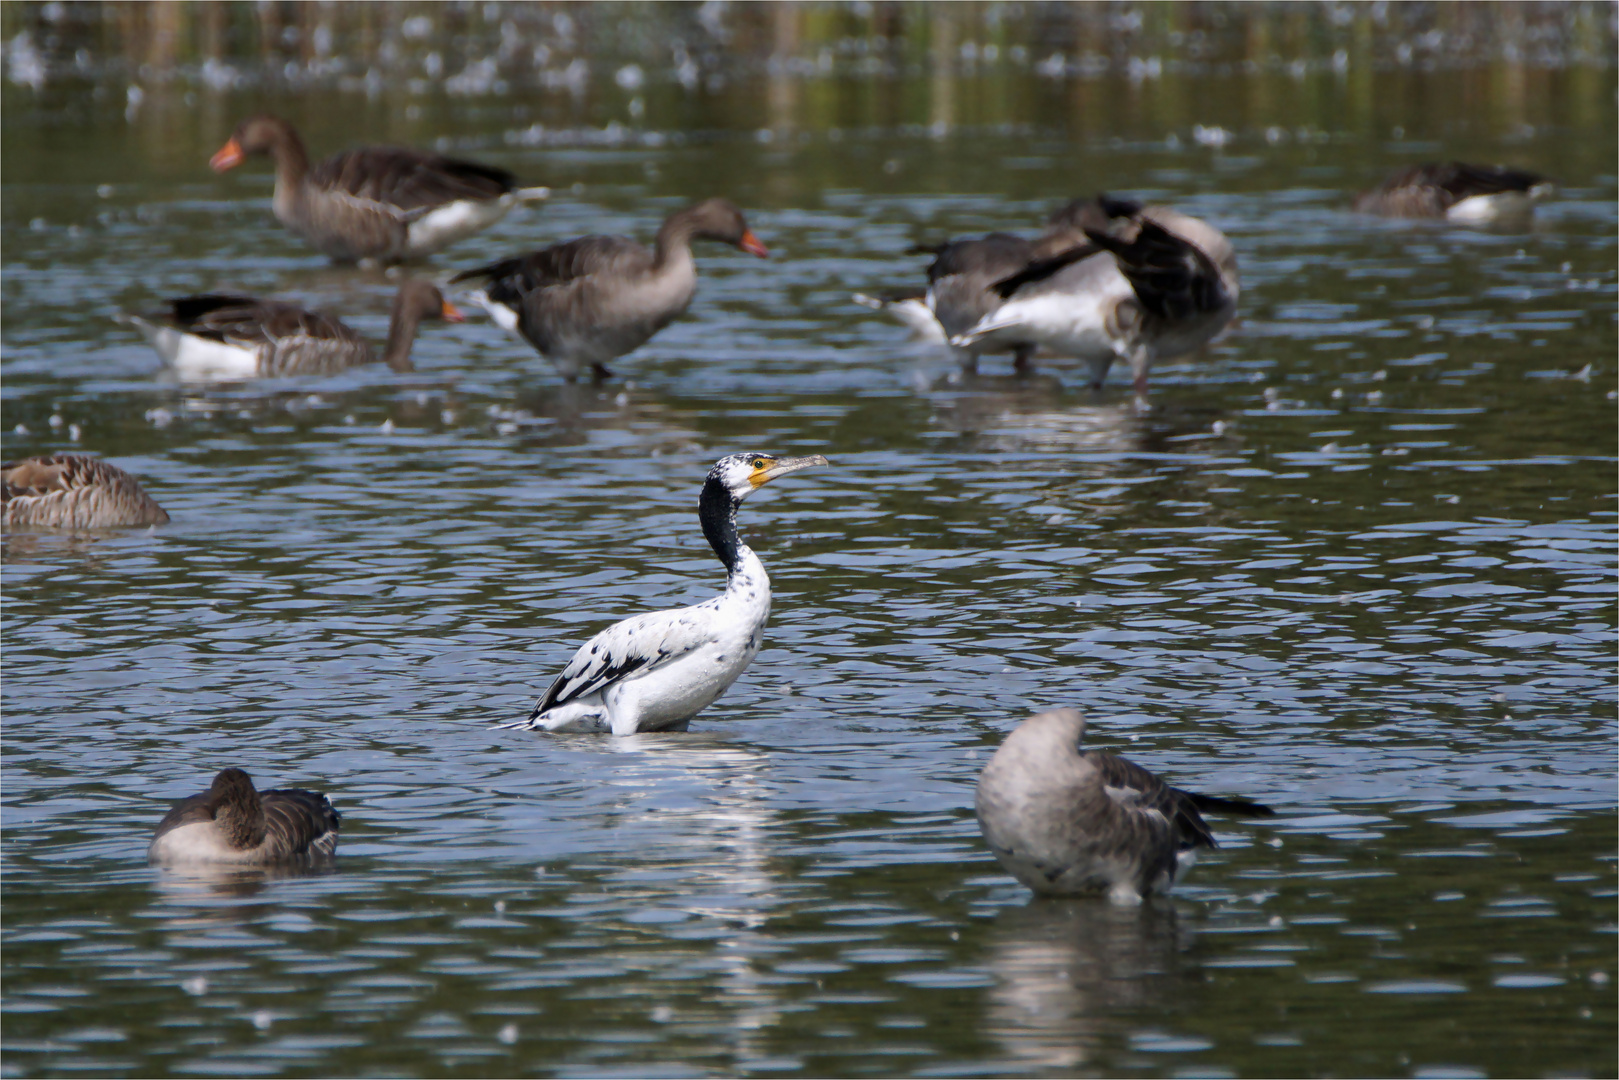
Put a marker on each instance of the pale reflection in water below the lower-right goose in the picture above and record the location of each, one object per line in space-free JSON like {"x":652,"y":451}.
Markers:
{"x":1068,"y":974}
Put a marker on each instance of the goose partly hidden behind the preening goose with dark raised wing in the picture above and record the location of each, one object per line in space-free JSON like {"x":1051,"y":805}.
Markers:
{"x":964,"y":274}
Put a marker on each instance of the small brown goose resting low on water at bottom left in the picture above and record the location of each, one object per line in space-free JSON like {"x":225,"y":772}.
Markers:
{"x":234,"y":823}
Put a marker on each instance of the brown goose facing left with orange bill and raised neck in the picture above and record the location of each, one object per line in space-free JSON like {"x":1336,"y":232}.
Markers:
{"x":385,"y":203}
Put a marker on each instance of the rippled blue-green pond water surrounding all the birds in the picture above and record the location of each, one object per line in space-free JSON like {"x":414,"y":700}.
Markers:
{"x":1358,"y":563}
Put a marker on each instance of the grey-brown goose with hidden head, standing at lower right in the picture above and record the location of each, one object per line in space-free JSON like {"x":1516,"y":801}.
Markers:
{"x":1066,"y":820}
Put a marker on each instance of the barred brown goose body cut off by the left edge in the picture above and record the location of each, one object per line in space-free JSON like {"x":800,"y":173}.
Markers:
{"x":70,"y":491}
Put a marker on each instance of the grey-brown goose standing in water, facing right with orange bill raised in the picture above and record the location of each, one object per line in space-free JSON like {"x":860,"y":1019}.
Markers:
{"x":592,"y":300}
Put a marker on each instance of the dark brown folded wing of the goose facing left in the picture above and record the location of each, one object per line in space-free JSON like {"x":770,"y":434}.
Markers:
{"x":412,"y":181}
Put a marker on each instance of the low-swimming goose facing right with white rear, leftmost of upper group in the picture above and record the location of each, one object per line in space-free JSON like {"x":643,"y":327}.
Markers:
{"x":223,"y":336}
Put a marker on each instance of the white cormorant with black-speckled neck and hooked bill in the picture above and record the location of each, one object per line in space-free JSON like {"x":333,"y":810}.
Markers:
{"x":655,"y":673}
